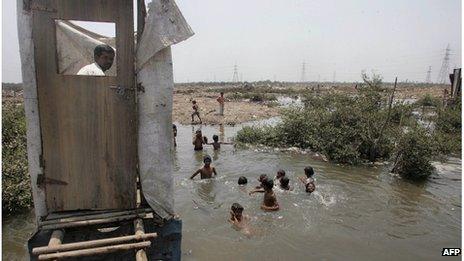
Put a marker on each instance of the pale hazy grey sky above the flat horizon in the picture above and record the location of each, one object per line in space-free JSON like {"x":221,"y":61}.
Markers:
{"x":270,"y":39}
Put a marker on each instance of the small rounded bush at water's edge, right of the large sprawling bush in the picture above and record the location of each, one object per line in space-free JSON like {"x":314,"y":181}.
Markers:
{"x":414,"y":155}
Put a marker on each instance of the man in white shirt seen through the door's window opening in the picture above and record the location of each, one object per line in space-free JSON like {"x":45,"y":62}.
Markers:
{"x":103,"y":55}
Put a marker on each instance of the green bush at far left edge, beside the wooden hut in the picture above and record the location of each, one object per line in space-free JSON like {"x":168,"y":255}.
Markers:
{"x":16,"y":189}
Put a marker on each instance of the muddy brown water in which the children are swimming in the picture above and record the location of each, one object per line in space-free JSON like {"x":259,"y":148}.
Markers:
{"x":356,"y":213}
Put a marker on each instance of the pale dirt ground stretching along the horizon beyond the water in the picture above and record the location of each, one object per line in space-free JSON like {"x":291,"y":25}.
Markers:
{"x":237,"y":111}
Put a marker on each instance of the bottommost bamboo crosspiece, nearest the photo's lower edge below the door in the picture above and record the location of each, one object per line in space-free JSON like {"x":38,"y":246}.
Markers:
{"x":95,"y":251}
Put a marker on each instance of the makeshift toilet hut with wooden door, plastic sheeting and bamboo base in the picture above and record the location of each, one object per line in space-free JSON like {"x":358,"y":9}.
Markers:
{"x":99,"y":148}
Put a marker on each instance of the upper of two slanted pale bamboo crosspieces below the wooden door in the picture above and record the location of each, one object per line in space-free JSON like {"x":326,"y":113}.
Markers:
{"x":90,"y":244}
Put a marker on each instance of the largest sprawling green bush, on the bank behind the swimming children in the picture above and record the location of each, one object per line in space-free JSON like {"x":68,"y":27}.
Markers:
{"x":346,"y":129}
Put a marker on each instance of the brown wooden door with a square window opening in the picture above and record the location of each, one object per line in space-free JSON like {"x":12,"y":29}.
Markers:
{"x":88,"y":127}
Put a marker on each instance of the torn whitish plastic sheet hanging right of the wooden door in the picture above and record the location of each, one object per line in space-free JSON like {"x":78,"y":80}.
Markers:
{"x":164,"y":26}
